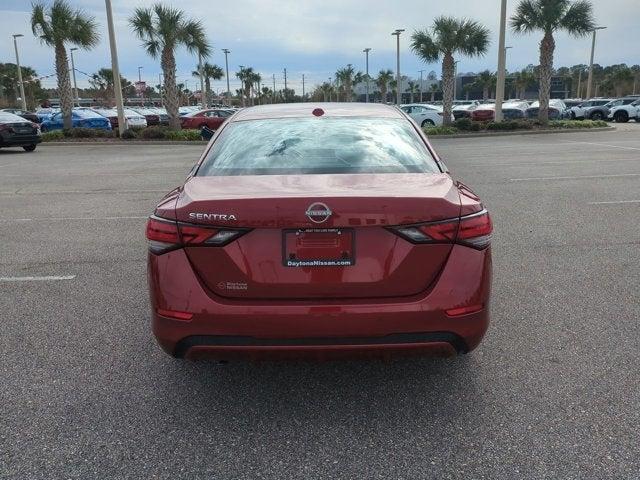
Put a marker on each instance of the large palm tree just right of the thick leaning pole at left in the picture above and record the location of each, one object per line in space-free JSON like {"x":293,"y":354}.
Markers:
{"x":162,"y":30}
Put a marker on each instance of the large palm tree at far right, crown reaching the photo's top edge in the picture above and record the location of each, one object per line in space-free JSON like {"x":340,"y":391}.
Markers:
{"x":550,"y":16}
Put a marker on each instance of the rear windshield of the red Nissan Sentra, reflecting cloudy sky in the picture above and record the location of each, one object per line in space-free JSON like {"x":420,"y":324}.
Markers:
{"x":318,"y":146}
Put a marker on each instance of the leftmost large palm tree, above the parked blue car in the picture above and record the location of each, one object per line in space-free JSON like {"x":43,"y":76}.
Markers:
{"x":55,"y":26}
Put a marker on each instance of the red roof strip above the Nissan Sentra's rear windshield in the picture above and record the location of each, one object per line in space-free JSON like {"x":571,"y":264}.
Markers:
{"x":292,"y":110}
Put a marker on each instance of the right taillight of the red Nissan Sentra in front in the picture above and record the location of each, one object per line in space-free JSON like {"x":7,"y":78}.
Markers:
{"x":471,"y":230}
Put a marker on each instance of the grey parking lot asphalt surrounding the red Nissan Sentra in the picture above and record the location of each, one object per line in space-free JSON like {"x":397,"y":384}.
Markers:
{"x":553,"y":392}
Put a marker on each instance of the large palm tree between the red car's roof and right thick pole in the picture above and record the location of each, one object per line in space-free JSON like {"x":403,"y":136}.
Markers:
{"x":449,"y":36}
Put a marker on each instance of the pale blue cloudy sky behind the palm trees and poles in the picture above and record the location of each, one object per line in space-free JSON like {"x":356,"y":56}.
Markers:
{"x":316,"y":37}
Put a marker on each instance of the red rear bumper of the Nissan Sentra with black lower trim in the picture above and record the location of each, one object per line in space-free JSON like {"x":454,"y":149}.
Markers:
{"x":222,"y":328}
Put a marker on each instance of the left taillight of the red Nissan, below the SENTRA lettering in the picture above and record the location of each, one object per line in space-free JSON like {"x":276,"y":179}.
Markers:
{"x":166,"y":235}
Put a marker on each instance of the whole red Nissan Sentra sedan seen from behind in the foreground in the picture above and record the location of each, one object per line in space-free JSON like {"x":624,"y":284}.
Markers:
{"x":323,"y":231}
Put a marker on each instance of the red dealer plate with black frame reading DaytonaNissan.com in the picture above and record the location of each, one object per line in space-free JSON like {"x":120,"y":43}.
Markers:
{"x":345,"y":242}
